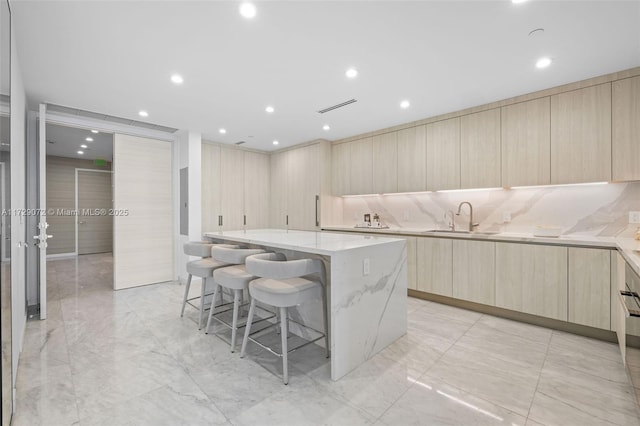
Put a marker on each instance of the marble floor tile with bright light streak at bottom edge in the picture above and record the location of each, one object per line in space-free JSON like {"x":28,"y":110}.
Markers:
{"x":431,"y":402}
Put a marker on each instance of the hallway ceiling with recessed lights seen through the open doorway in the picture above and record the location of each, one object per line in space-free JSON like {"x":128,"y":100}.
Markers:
{"x":63,"y":141}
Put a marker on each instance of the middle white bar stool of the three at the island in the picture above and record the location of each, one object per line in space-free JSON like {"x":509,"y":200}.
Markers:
{"x":234,"y":278}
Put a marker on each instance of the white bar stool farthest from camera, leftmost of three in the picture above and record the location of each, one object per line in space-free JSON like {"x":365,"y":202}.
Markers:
{"x":202,"y":268}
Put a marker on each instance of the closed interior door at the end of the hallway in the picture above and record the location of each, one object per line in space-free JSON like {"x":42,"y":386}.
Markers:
{"x":93,"y":204}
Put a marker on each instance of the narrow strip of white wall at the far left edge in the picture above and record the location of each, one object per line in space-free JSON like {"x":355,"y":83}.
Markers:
{"x":18,"y":201}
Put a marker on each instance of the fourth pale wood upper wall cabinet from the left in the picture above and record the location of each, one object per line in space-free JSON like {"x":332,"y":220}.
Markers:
{"x":412,"y":159}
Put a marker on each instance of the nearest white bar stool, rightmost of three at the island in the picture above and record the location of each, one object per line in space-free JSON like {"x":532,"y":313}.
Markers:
{"x":284,"y":284}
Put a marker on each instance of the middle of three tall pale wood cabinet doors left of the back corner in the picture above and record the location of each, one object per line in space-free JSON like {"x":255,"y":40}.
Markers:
{"x":232,"y":188}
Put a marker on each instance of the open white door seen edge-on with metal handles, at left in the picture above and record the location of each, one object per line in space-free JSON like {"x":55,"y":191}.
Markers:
{"x":41,"y":237}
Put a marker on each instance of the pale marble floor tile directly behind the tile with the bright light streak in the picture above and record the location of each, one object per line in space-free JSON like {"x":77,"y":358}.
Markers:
{"x":501,"y":382}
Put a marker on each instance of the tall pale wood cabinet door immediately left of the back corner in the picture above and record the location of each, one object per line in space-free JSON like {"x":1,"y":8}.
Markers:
{"x":256,"y":190}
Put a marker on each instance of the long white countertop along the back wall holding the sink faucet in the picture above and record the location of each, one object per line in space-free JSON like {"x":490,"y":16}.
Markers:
{"x":628,"y":247}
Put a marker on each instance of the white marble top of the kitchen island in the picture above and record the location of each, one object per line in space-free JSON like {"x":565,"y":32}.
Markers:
{"x":324,"y":243}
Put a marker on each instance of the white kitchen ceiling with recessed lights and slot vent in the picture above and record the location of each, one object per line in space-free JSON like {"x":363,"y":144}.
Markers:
{"x":116,"y":57}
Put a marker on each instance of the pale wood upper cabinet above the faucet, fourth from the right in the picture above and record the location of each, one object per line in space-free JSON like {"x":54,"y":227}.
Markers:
{"x":480,"y":149}
